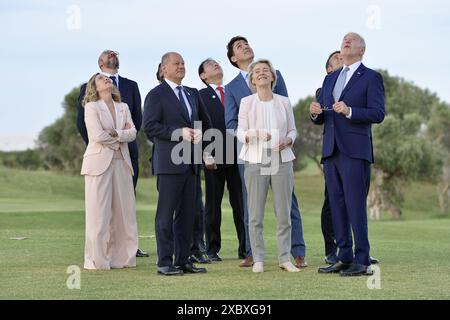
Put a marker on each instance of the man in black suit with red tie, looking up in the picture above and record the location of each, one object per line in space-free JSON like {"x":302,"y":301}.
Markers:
{"x":212,"y":96}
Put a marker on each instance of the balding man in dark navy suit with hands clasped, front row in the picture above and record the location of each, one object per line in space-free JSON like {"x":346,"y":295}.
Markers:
{"x":171,"y":115}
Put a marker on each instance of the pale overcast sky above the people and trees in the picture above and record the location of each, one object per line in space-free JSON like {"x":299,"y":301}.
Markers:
{"x":49,"y":47}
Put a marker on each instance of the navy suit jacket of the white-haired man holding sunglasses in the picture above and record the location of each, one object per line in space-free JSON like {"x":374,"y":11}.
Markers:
{"x":364,"y":93}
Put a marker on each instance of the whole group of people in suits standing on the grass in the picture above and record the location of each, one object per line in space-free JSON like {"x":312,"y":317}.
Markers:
{"x":191,"y":129}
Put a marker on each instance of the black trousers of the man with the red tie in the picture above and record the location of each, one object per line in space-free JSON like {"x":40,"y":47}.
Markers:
{"x":215,"y":185}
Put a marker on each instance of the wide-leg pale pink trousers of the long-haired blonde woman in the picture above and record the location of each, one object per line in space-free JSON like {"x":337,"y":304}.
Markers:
{"x":111,"y":228}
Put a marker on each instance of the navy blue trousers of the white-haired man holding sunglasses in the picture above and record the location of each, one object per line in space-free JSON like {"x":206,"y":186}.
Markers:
{"x":347,"y":181}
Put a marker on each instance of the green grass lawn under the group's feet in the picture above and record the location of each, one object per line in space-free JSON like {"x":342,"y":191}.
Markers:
{"x":48,"y":209}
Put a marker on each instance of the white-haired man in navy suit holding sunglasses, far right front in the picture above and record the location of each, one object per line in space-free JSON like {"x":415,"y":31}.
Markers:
{"x":351,"y":99}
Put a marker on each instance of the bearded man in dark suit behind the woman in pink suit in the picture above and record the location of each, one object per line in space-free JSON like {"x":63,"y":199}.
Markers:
{"x":108,"y":63}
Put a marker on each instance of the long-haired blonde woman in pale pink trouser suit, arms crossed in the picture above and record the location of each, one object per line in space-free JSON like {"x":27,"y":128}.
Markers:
{"x":111,"y":229}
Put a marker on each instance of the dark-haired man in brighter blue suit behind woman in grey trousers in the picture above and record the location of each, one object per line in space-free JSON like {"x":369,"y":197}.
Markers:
{"x":241,"y":56}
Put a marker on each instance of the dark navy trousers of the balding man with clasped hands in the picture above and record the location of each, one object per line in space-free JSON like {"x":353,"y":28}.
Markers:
{"x":174,"y":219}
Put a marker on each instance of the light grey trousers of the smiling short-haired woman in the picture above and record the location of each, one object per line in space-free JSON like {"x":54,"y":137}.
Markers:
{"x":282,"y":182}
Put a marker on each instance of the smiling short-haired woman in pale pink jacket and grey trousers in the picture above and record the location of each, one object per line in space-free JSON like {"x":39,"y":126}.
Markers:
{"x":266,"y":127}
